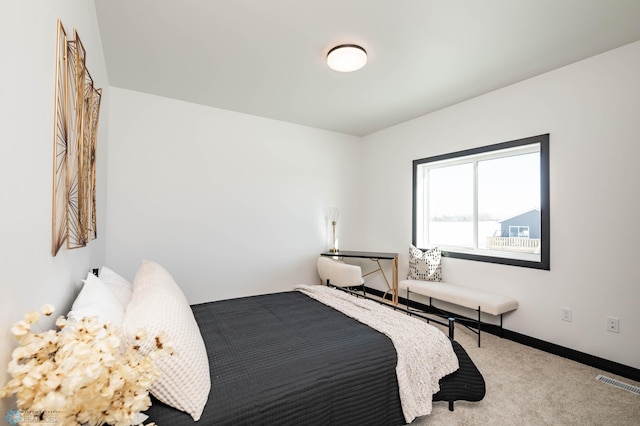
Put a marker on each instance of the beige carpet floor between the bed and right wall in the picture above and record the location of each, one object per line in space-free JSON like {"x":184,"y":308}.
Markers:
{"x":526,"y":386}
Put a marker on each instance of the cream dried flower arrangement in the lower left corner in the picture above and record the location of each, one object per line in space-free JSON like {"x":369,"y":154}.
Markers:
{"x":82,"y":373}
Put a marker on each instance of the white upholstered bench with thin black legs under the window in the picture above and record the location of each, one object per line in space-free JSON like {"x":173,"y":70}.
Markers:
{"x":476,"y":299}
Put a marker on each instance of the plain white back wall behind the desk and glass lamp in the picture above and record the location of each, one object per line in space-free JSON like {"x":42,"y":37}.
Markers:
{"x":230,"y":204}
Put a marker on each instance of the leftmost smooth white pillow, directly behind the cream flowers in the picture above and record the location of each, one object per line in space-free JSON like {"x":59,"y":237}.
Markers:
{"x":96,"y":299}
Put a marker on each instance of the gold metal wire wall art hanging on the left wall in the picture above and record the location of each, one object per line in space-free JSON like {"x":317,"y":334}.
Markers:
{"x":76,"y":112}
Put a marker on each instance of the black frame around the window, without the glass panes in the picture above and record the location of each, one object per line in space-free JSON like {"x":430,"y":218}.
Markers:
{"x":545,"y":222}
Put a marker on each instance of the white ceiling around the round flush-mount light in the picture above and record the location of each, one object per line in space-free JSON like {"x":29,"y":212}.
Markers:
{"x":267,"y":57}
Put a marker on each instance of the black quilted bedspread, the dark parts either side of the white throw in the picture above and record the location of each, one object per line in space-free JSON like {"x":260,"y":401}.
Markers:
{"x":287,"y":359}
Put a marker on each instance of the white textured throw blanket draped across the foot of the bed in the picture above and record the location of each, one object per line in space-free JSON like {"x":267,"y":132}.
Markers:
{"x":425,"y":354}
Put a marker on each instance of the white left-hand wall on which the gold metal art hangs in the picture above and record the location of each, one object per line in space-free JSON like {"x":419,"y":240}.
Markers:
{"x":29,"y":275}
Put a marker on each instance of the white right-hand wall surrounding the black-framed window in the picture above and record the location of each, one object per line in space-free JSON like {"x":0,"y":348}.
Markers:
{"x":591,"y":110}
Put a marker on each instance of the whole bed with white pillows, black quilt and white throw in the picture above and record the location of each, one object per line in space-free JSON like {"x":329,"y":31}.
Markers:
{"x":285,"y":358}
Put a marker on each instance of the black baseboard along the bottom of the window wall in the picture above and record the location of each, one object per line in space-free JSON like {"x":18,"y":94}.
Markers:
{"x":552,"y":348}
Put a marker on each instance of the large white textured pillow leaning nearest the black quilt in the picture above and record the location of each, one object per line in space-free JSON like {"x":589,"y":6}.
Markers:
{"x":158,"y":305}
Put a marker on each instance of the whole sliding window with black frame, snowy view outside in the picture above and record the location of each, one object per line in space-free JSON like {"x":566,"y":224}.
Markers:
{"x":488,"y":204}
